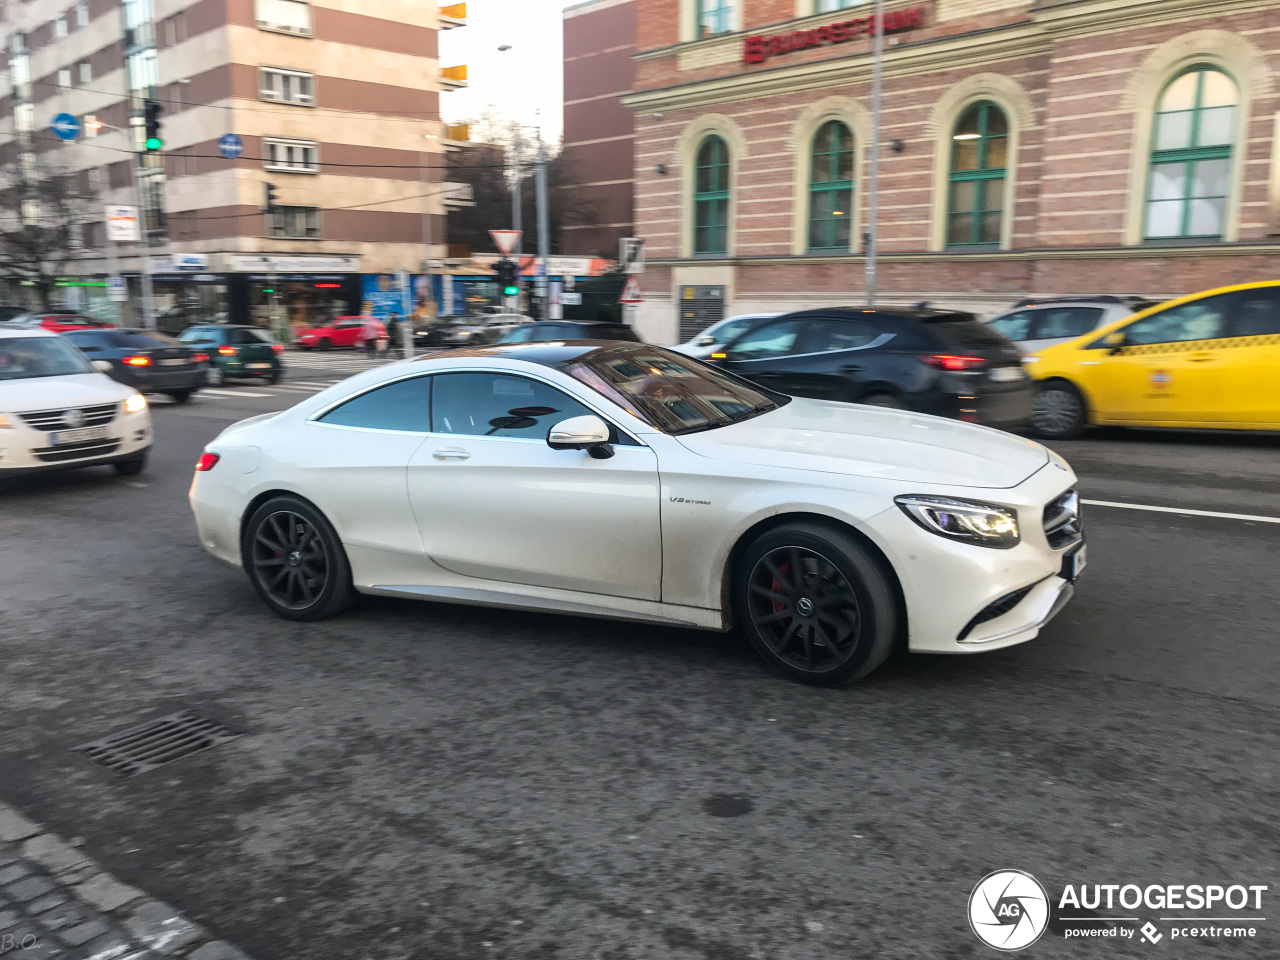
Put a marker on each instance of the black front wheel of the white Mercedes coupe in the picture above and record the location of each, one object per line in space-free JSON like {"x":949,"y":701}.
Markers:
{"x":815,"y":605}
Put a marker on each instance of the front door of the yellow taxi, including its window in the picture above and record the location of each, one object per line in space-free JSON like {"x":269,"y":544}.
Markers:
{"x":1171,"y":368}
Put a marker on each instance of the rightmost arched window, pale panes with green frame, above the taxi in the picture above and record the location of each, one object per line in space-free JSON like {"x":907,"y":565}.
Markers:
{"x":1191,"y":157}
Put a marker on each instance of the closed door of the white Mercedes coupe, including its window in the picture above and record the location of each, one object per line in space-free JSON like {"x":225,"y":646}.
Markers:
{"x":495,"y":502}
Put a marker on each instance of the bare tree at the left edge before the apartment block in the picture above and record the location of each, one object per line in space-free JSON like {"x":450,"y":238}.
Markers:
{"x":44,"y":217}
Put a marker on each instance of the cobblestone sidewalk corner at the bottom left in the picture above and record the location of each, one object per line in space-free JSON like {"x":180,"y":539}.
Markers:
{"x":57,"y":904}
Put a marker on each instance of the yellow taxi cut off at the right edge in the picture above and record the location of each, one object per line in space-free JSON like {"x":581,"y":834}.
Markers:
{"x":1210,"y":360}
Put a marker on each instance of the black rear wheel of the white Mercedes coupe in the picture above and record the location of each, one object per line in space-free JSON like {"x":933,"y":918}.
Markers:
{"x":296,"y":561}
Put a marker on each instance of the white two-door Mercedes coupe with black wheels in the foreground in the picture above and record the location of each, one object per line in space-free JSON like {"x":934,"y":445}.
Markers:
{"x":629,"y":482}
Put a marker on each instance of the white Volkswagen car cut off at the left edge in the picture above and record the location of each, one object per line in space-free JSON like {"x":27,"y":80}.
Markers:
{"x":60,"y":413}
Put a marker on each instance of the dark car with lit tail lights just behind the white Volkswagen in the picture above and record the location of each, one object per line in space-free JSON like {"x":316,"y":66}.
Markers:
{"x":149,"y":362}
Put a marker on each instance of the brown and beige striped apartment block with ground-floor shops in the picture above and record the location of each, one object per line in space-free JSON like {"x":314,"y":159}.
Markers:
{"x":335,"y":115}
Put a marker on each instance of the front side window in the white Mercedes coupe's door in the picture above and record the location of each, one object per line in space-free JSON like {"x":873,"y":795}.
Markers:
{"x":500,"y":405}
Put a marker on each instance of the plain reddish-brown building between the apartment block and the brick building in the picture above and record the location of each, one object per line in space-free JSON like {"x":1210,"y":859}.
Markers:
{"x":600,"y":131}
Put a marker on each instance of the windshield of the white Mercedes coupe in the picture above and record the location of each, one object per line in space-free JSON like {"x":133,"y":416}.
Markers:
{"x":670,"y":392}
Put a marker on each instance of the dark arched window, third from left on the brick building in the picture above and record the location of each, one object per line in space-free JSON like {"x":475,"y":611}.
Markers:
{"x":980,"y":149}
